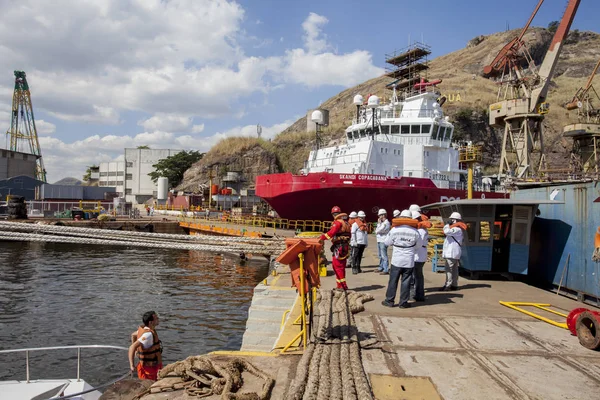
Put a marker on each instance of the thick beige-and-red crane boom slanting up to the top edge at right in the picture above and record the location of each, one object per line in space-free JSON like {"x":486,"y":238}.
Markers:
{"x":539,"y":93}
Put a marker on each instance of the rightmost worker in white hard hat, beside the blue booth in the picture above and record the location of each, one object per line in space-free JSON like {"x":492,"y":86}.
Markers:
{"x":454,"y":231}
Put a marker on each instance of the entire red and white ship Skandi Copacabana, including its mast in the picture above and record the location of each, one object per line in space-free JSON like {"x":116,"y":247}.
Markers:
{"x":395,"y":155}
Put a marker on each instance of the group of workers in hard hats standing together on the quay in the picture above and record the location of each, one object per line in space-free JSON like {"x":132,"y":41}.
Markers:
{"x":408,"y":235}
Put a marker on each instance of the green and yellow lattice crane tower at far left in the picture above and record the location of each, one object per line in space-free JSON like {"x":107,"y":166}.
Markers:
{"x":23,"y":132}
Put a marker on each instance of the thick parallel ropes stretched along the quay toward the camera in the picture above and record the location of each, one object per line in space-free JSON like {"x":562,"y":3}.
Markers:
{"x":331,"y":366}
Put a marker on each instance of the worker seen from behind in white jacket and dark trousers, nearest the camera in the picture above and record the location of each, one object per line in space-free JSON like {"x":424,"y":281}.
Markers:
{"x":406,"y":240}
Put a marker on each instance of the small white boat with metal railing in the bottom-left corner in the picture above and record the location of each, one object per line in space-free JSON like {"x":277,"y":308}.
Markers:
{"x":50,"y":389}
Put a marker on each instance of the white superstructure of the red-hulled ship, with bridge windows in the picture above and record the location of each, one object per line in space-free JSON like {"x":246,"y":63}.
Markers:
{"x":407,"y":138}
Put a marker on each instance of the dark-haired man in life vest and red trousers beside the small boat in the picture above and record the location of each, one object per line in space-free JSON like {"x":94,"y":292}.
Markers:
{"x":148,"y":347}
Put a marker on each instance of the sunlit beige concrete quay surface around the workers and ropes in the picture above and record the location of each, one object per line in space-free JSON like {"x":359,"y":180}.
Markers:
{"x":456,"y":345}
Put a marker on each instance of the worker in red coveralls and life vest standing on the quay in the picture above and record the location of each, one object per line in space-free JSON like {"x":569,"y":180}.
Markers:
{"x":339,"y":234}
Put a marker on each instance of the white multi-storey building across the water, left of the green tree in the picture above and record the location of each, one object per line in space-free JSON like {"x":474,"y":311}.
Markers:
{"x":130,"y":177}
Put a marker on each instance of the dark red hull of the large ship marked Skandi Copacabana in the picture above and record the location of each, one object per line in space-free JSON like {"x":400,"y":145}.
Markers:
{"x":311,"y":196}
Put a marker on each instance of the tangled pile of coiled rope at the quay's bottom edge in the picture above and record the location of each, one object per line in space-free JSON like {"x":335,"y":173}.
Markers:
{"x":202,"y":376}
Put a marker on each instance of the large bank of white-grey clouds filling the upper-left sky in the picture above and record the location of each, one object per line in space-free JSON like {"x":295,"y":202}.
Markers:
{"x":177,"y":61}
